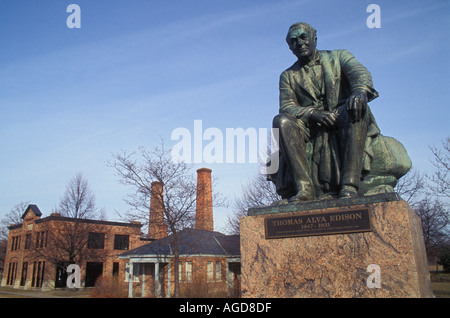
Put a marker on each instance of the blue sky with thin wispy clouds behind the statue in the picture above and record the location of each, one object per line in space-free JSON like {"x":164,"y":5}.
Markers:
{"x":137,"y":70}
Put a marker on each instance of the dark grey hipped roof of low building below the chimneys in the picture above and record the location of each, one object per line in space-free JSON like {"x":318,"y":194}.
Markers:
{"x":191,"y":242}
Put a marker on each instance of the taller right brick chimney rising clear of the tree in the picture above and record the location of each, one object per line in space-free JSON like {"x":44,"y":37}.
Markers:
{"x":204,"y":210}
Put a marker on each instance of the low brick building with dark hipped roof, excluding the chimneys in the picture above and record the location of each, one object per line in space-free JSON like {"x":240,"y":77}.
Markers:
{"x":209,"y":260}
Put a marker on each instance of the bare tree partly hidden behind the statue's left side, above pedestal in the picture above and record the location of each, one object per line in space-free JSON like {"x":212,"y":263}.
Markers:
{"x":256,"y":193}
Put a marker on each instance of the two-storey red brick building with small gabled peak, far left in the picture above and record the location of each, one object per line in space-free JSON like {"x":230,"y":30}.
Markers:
{"x":38,"y":248}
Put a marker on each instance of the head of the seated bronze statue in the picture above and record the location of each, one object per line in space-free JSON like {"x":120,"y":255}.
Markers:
{"x":302,"y":40}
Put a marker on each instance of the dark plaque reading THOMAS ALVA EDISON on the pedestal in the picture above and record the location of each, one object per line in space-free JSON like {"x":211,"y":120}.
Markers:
{"x":348,"y":221}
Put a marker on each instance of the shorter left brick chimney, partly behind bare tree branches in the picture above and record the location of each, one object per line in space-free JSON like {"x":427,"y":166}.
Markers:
{"x":156,"y":227}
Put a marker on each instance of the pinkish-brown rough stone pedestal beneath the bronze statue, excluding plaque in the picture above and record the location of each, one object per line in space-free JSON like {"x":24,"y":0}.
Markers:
{"x":337,"y":265}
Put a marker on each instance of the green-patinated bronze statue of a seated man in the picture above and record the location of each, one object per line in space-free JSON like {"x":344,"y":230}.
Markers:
{"x":326,"y":128}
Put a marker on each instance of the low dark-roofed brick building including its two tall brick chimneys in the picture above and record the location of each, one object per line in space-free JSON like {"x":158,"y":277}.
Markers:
{"x":209,"y":260}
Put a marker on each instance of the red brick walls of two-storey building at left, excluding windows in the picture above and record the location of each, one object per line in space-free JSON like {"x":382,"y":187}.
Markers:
{"x":55,"y":229}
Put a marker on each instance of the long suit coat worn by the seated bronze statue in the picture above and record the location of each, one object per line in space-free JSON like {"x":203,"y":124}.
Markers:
{"x":342,"y":75}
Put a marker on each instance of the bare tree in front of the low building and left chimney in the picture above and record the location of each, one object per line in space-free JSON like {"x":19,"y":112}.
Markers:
{"x":139,"y":170}
